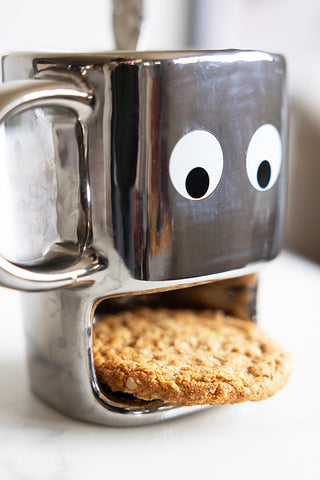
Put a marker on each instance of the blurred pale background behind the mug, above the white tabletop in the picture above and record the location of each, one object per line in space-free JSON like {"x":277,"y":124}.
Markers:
{"x":290,"y":27}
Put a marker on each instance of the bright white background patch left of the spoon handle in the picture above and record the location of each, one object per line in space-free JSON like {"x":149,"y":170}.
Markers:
{"x":53,"y":25}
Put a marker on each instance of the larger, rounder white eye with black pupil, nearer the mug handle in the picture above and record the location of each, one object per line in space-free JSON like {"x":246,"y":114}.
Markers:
{"x":196,"y":165}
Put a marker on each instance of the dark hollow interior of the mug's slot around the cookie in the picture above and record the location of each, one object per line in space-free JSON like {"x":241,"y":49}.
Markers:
{"x":235,"y":296}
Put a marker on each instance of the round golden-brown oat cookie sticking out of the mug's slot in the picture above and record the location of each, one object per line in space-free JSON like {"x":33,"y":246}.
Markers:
{"x":187,"y":357}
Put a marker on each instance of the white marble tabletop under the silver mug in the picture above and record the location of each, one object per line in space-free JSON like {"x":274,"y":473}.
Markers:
{"x":277,"y":438}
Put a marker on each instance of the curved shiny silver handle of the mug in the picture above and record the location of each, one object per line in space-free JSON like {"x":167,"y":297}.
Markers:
{"x":17,"y":97}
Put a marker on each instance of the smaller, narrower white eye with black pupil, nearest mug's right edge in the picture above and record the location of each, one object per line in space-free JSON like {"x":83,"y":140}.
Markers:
{"x":264,"y":157}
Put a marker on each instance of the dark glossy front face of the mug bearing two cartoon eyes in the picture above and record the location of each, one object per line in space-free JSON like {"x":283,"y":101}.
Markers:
{"x":207,"y":178}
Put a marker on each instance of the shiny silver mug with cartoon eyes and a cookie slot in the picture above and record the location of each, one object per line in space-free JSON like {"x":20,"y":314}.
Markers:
{"x":132,"y":173}
